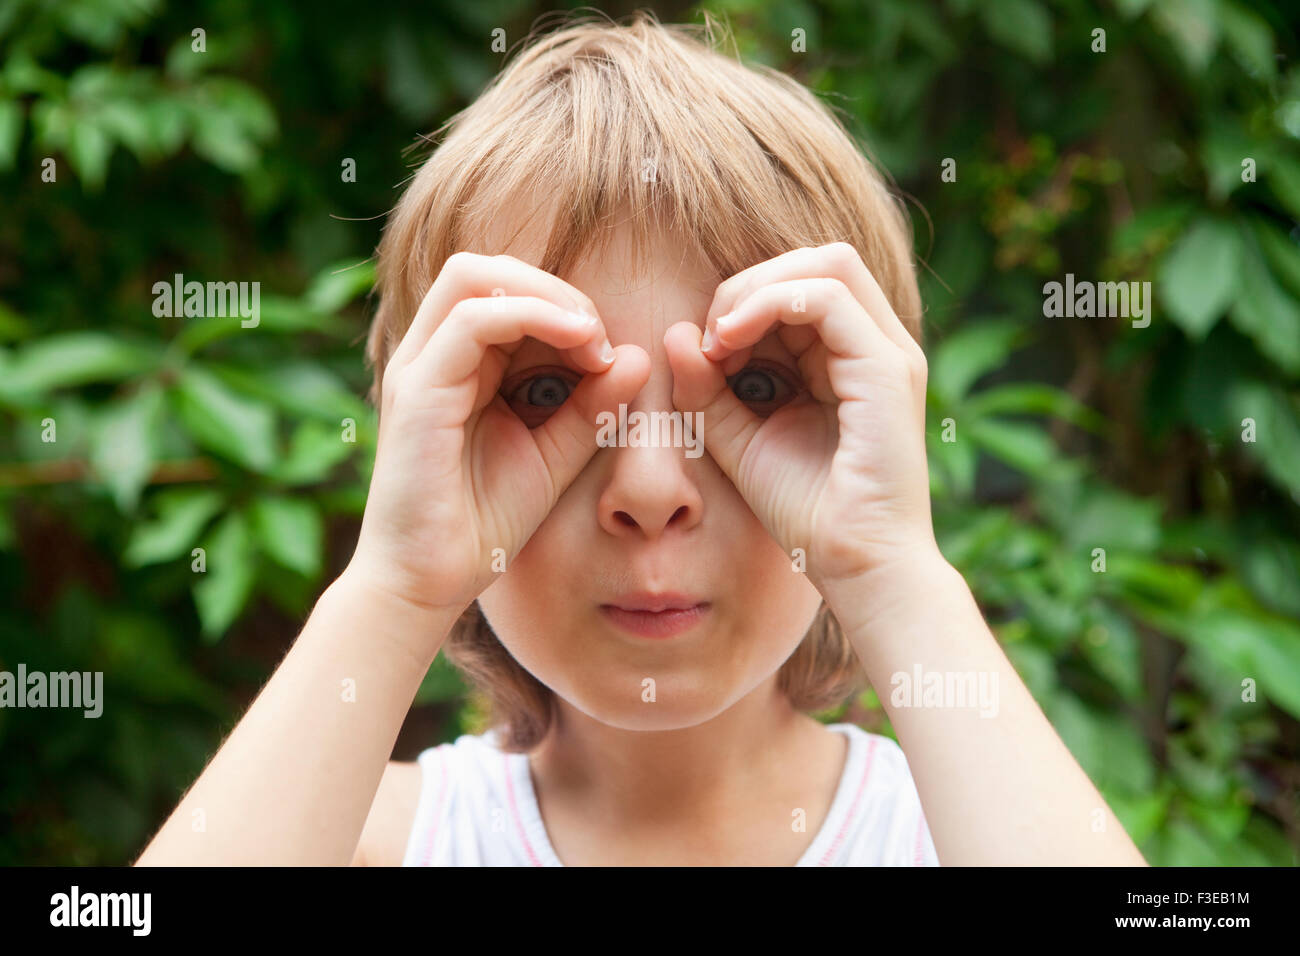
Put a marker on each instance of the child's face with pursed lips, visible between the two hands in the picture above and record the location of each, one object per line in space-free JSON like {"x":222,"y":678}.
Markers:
{"x":647,"y":520}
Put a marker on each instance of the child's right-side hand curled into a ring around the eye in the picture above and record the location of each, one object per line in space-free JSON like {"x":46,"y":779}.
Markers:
{"x":842,"y":470}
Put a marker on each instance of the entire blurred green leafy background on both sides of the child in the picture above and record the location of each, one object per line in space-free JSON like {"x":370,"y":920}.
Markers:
{"x":1173,"y":157}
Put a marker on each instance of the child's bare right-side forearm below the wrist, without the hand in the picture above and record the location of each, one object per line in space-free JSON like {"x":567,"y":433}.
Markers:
{"x":996,"y":782}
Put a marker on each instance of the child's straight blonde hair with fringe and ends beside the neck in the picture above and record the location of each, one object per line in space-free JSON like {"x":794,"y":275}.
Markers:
{"x":599,"y":118}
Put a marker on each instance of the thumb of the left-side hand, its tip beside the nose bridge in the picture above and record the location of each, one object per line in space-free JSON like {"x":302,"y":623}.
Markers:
{"x":567,"y":439}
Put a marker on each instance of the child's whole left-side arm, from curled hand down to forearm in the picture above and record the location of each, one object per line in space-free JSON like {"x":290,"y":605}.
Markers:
{"x":458,"y":478}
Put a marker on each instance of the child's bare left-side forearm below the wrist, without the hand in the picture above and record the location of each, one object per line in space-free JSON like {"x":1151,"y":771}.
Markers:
{"x":294,"y":781}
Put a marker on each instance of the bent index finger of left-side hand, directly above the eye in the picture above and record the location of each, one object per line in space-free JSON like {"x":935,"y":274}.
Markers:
{"x":457,"y":349}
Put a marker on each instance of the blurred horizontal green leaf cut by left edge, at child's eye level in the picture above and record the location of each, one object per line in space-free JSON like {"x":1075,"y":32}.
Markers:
{"x":76,"y":358}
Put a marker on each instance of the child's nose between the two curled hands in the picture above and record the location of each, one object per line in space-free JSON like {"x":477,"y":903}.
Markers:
{"x":651,"y":490}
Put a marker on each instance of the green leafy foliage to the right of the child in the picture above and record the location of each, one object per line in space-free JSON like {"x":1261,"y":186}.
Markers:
{"x":1054,"y":438}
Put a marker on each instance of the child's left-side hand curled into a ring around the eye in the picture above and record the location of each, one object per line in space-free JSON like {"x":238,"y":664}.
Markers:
{"x":457,"y":473}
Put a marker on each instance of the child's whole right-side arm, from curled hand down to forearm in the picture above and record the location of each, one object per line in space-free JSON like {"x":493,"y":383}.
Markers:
{"x":840,"y":475}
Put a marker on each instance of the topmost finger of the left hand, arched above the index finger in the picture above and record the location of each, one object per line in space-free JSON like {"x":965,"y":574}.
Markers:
{"x":467,"y":275}
